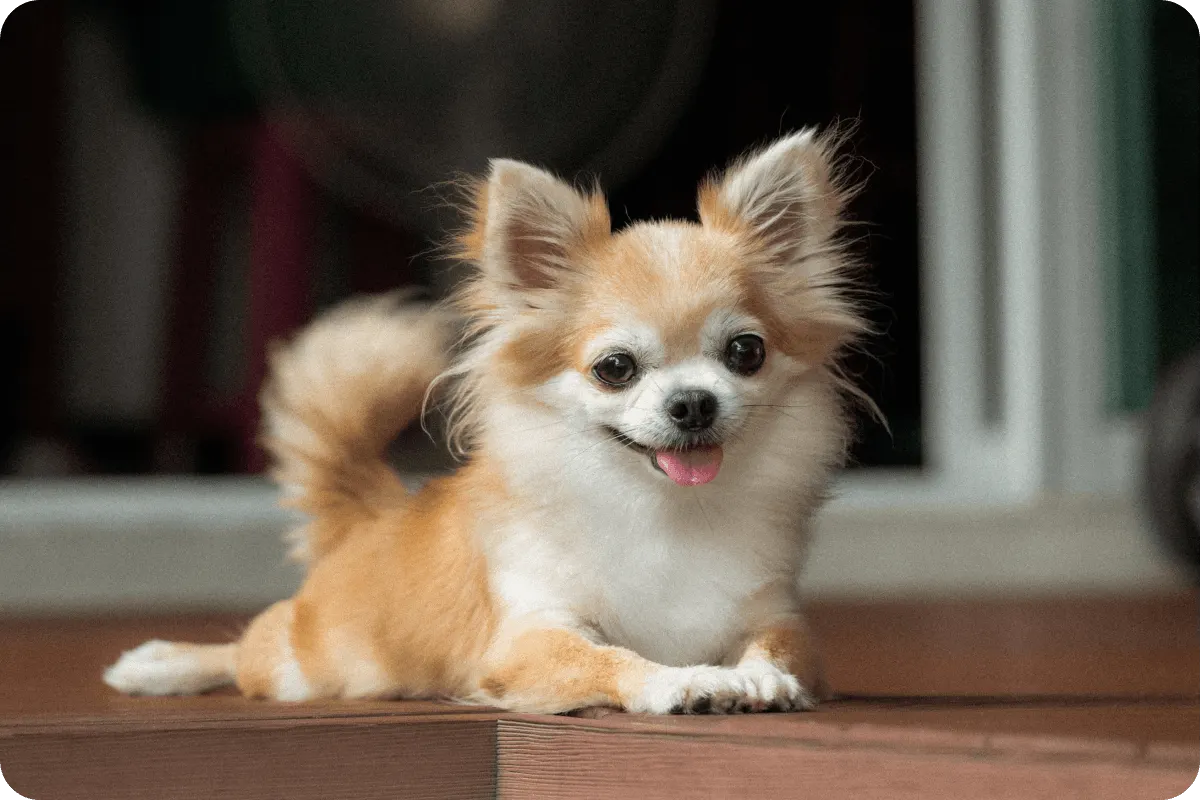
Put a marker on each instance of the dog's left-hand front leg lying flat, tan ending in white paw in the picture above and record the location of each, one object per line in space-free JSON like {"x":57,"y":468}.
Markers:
{"x":554,"y":671}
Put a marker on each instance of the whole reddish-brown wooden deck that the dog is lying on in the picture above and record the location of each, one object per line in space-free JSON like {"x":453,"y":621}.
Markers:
{"x":1094,"y":697}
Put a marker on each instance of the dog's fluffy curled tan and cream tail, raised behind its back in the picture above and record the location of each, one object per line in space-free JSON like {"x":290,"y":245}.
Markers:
{"x":336,"y":397}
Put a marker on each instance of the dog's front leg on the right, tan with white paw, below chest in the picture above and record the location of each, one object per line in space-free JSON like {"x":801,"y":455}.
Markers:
{"x":785,"y":664}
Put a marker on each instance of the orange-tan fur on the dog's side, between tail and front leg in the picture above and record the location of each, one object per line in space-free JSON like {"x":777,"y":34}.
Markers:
{"x":409,"y":593}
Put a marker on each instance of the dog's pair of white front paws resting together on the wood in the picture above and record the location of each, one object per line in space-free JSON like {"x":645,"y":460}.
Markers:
{"x":718,"y":690}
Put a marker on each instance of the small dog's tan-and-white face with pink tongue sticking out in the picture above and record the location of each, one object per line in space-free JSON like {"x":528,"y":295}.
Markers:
{"x":668,"y":357}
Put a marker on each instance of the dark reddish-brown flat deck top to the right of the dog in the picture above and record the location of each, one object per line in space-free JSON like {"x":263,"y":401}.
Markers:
{"x":1132,"y":646}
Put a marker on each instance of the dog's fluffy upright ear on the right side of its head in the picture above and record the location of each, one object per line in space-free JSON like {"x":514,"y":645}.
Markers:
{"x":785,"y":196}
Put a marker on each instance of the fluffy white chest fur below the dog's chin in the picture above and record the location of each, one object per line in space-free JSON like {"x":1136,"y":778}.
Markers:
{"x":667,"y":580}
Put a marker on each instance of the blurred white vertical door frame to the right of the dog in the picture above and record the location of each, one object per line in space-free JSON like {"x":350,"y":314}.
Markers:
{"x":1055,"y":434}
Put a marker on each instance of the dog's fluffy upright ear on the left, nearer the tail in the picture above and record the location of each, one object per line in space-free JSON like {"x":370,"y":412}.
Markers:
{"x":527,"y":229}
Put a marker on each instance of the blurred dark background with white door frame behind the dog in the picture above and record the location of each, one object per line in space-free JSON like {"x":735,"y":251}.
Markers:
{"x":186,"y":182}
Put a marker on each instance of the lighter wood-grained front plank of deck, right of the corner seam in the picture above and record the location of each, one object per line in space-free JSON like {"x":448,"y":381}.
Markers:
{"x":585,"y":762}
